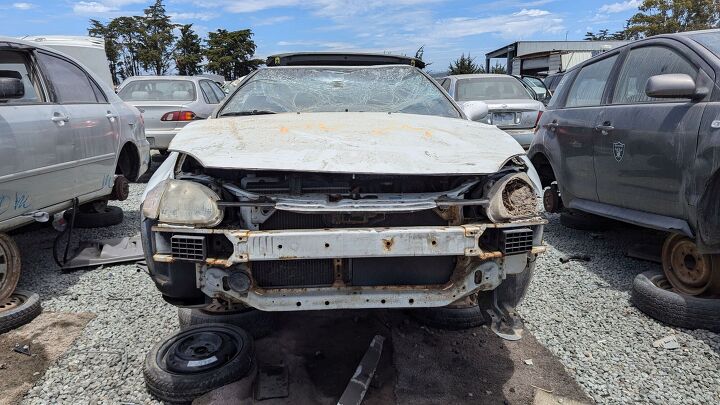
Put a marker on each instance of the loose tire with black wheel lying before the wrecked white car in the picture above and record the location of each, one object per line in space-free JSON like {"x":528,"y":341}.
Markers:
{"x":177,"y":371}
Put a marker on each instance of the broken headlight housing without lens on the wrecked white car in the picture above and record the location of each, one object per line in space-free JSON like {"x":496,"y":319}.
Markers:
{"x":512,"y":197}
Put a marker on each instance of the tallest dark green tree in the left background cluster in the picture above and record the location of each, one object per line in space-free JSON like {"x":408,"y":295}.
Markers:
{"x":155,"y":51}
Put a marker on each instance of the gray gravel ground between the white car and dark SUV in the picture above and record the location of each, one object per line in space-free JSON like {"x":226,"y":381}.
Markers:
{"x":581,"y":312}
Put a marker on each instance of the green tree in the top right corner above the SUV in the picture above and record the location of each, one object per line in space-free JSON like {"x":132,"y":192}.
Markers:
{"x":667,"y":16}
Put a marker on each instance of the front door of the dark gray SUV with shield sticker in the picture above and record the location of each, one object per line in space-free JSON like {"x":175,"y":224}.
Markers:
{"x":645,"y":146}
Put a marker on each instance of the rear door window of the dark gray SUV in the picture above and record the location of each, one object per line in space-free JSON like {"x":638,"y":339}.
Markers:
{"x":588,"y":87}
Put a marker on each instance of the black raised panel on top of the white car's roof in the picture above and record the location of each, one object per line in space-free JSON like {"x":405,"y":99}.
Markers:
{"x":341,"y":59}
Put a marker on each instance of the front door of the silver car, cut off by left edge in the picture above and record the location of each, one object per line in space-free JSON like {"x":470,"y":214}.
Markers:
{"x":36,"y":147}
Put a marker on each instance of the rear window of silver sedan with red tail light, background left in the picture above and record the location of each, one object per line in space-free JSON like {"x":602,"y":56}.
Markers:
{"x":158,"y":90}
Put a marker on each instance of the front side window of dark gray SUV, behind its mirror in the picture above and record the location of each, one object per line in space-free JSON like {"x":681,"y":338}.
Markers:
{"x":640,"y":65}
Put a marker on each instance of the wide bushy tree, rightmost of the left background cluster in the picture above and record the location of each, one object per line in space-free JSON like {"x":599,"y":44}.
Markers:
{"x":229,"y":53}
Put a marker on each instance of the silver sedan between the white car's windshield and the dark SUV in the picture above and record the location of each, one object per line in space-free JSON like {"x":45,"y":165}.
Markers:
{"x":511,"y":106}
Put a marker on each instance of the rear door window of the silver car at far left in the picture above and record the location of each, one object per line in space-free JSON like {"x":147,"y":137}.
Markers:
{"x":71,"y":84}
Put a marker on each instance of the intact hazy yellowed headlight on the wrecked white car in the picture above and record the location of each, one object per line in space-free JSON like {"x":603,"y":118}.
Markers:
{"x":183,"y":202}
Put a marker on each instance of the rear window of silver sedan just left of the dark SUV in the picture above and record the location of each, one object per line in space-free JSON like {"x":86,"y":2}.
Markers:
{"x":490,"y":88}
